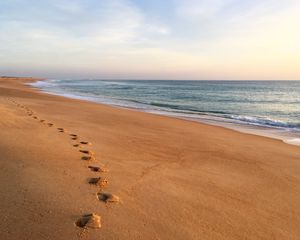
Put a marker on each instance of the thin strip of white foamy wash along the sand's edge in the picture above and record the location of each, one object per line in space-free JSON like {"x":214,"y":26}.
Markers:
{"x":278,"y":133}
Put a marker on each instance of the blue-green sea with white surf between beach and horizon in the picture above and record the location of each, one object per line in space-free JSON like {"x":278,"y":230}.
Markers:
{"x":269,"y":108}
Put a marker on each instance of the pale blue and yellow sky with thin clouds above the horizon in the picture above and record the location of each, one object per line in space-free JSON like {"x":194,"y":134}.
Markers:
{"x":151,"y":39}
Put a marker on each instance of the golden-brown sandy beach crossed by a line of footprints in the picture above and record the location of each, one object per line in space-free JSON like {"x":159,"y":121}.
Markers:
{"x":174,"y":179}
